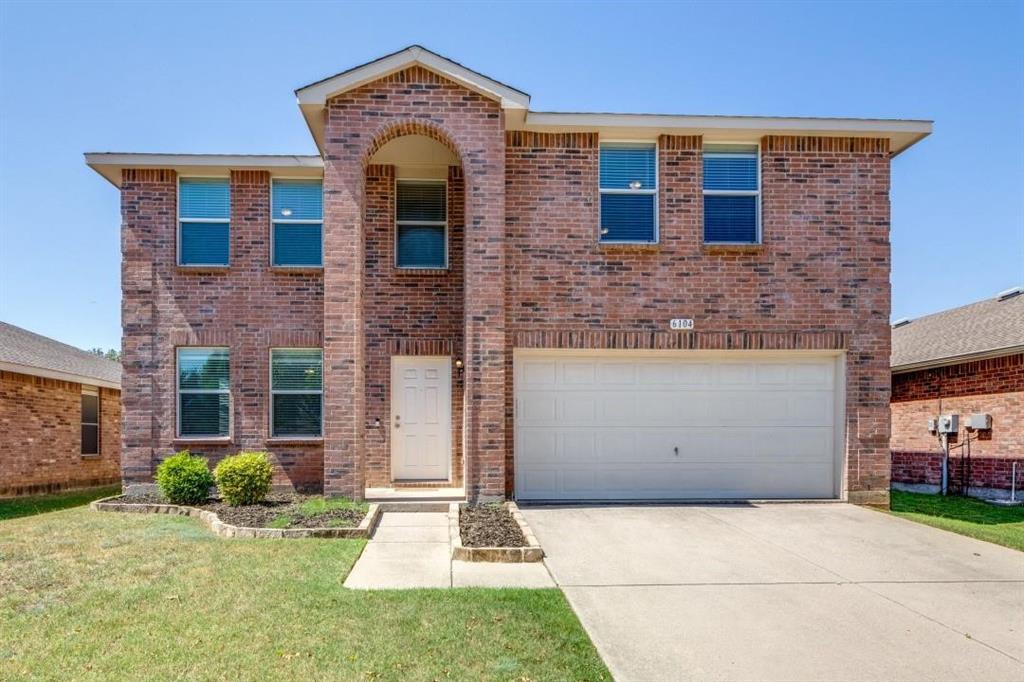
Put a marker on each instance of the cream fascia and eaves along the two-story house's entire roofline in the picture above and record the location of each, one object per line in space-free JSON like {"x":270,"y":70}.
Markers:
{"x":313,"y":99}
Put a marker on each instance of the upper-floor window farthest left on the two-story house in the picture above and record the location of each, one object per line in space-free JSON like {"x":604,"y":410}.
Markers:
{"x":204,"y":218}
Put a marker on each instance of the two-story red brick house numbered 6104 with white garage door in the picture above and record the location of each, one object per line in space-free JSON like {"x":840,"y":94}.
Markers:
{"x":466,"y":296}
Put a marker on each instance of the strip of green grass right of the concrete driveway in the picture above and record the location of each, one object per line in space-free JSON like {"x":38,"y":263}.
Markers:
{"x":1003,"y":526}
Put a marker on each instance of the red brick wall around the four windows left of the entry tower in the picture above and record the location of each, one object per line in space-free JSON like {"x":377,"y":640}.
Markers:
{"x":249,"y":308}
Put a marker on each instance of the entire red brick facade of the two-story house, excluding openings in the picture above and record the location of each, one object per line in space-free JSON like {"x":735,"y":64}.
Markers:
{"x":535,"y":272}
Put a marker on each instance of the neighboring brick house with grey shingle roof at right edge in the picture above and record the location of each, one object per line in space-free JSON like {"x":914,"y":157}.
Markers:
{"x":965,"y":361}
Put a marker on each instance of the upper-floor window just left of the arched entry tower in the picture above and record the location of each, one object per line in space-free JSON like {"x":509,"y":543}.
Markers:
{"x":297,"y":207}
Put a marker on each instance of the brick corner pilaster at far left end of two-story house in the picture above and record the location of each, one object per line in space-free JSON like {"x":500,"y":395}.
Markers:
{"x":148,"y":214}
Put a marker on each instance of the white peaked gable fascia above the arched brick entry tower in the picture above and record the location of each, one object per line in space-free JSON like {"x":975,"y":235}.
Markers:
{"x":319,"y":94}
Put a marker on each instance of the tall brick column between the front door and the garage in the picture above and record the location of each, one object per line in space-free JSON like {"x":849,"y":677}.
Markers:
{"x":485,"y":253}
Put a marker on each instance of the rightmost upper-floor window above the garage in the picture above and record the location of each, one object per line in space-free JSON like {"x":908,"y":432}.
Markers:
{"x":732,"y":194}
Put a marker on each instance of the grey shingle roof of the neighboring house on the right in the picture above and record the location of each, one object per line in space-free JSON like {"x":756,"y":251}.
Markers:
{"x":987,"y":329}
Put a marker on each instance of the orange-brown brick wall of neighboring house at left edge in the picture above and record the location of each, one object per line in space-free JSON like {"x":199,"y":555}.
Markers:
{"x":41,"y":437}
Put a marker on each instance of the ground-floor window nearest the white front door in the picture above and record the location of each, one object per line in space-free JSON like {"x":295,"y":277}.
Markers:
{"x":296,"y":393}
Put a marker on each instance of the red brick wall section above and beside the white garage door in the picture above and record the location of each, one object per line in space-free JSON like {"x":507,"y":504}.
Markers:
{"x":820,"y":281}
